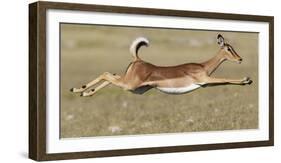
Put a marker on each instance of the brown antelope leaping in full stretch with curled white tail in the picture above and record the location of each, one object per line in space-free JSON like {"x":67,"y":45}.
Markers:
{"x":141,"y":76}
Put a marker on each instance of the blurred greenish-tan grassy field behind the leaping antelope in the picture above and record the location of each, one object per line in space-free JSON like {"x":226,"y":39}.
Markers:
{"x":89,"y":50}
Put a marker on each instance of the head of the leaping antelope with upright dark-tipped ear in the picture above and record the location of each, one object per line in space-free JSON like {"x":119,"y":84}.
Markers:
{"x":228,"y":51}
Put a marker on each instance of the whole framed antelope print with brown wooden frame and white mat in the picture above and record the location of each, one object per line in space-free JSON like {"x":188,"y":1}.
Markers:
{"x":112,"y":81}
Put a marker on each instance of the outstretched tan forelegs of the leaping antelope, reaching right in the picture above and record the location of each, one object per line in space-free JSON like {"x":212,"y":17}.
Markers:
{"x":243,"y":81}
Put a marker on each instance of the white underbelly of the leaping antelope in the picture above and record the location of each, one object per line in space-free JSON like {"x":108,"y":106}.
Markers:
{"x":180,"y":90}
